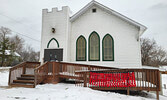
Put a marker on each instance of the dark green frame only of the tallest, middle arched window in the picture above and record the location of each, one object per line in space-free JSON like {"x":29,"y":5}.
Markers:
{"x":94,"y":32}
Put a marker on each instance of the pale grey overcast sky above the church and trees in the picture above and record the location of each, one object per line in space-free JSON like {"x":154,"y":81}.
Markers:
{"x":24,"y":16}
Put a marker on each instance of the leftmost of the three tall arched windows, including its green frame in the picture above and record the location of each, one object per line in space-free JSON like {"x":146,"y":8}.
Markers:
{"x":81,"y":49}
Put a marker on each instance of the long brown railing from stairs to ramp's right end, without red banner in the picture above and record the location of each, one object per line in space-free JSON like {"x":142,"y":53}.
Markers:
{"x":147,"y":79}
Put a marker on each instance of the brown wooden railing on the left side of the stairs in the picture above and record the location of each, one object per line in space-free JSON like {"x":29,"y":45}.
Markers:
{"x":23,"y":68}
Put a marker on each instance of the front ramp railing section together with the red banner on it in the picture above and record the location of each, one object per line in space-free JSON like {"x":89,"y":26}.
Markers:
{"x":145,"y":79}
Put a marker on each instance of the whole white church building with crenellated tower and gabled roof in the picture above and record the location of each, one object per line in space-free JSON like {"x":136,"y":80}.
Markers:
{"x":95,"y":35}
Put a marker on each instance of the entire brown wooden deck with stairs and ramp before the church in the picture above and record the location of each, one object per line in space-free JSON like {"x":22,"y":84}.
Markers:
{"x":30,"y":74}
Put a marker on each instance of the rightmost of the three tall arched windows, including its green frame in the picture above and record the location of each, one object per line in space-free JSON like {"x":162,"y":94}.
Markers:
{"x":108,"y":48}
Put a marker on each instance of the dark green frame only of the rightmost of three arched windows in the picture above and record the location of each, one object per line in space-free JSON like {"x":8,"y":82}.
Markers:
{"x":112,"y":47}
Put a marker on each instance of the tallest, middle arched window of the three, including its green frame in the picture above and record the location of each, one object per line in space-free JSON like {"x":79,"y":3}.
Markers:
{"x":94,"y":47}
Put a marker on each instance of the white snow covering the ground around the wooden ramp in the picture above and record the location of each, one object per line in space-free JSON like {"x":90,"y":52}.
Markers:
{"x":62,"y":91}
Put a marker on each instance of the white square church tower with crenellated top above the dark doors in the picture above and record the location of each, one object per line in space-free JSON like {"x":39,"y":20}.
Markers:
{"x":55,"y":33}
